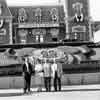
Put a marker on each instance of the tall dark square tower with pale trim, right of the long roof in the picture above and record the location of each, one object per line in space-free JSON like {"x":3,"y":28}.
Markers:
{"x":78,"y":21}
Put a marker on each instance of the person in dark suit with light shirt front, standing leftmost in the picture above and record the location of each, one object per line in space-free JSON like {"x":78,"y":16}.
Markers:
{"x":27,"y":72}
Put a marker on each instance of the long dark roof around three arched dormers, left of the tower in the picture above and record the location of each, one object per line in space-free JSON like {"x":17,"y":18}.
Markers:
{"x":30,"y":11}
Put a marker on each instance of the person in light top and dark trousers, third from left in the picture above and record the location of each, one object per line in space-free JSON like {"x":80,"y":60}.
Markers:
{"x":47,"y":75}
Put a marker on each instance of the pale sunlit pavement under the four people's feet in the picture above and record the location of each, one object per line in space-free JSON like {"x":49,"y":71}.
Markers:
{"x":85,"y":92}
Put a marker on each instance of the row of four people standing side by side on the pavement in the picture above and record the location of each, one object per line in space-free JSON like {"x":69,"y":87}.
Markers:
{"x":44,"y":71}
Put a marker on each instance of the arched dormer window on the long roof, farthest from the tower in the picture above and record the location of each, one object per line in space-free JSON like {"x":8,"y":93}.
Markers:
{"x":22,"y":16}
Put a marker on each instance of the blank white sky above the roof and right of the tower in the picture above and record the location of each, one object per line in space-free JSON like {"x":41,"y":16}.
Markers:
{"x":94,"y":8}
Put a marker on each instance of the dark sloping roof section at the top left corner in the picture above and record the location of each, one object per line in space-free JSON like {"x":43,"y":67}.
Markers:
{"x":5,"y":10}
